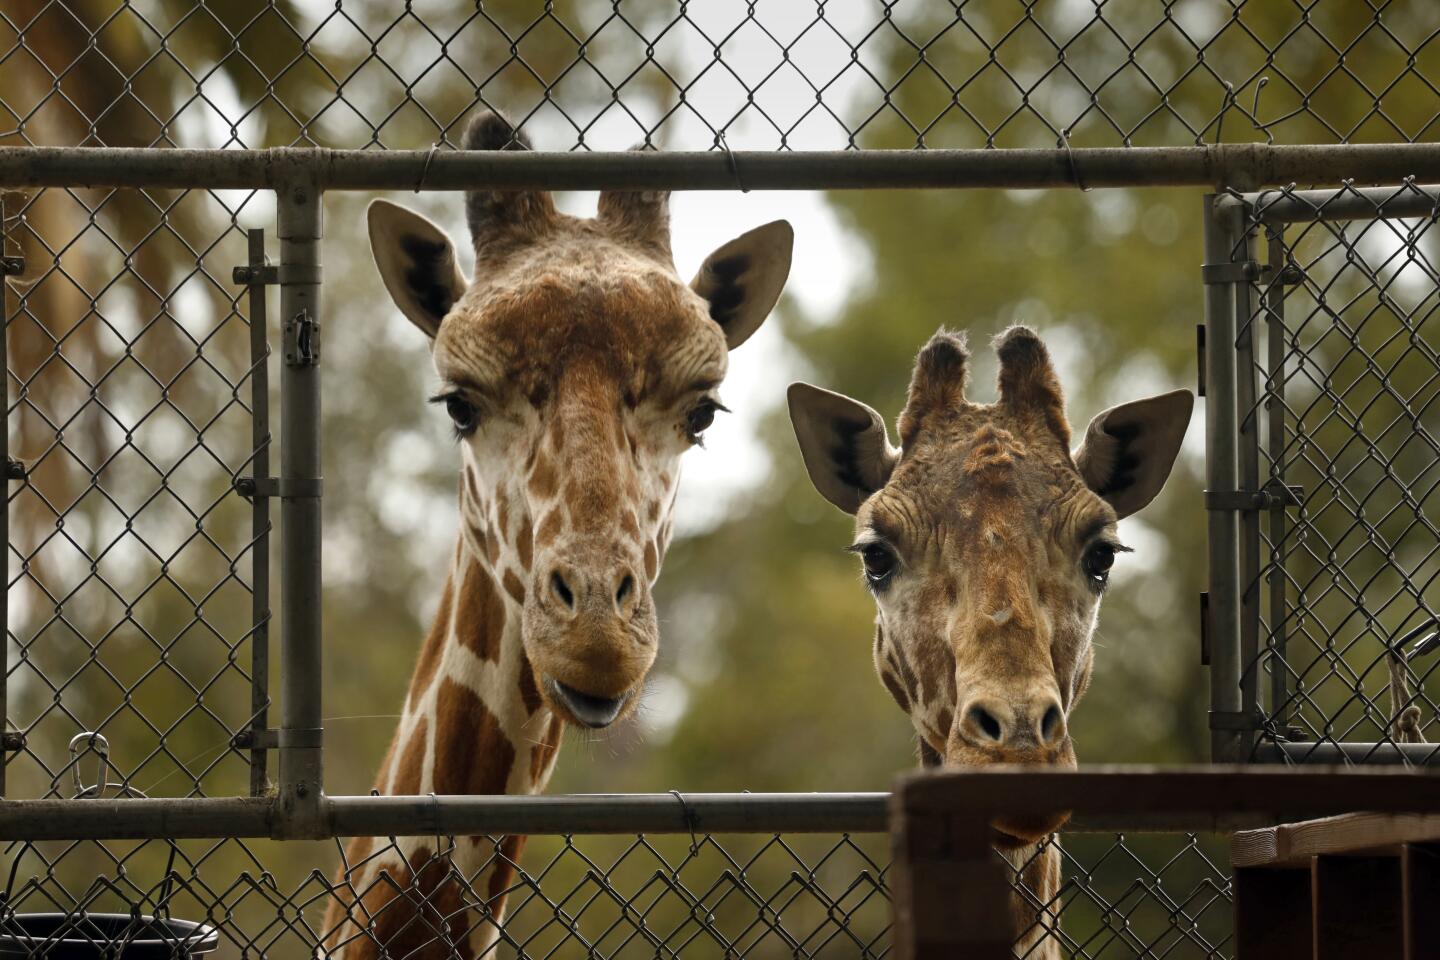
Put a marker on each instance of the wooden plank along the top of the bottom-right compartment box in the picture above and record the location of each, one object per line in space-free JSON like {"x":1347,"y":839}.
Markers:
{"x":1295,"y":844}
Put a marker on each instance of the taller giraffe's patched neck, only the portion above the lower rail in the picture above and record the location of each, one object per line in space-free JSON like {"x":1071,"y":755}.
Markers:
{"x":474,"y":722}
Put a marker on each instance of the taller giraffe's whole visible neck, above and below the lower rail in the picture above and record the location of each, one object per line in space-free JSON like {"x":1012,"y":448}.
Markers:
{"x":473,"y":725}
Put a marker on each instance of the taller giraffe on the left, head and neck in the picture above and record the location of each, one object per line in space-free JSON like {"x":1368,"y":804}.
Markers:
{"x":577,"y":368}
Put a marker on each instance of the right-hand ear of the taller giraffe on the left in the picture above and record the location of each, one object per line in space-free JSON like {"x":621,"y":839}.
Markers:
{"x":744,"y":279}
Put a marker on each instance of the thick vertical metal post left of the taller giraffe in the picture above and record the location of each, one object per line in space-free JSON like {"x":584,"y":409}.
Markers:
{"x":299,"y":207}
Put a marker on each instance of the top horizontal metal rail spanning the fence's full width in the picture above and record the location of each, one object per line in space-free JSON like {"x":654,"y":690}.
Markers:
{"x":1216,"y":166}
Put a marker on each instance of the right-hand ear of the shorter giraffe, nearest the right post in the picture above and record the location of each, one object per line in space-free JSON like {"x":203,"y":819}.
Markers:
{"x":1128,"y":451}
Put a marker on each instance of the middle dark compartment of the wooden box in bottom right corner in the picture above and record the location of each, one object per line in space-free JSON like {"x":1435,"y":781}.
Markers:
{"x":1356,"y":907}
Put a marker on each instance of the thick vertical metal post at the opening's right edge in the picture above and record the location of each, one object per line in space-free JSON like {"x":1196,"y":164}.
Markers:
{"x":1222,"y":479}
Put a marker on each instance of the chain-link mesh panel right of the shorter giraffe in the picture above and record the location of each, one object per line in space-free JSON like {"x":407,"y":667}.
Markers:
{"x":1346,"y":411}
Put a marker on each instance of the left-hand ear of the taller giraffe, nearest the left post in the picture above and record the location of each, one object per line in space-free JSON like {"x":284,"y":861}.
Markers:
{"x":417,"y":263}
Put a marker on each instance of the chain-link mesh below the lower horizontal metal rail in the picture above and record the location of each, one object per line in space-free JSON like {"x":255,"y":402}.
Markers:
{"x":748,"y":896}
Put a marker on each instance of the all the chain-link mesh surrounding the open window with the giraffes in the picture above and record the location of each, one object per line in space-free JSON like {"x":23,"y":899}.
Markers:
{"x":139,"y":592}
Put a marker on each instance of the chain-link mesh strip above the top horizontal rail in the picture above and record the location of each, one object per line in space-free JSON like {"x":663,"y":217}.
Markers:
{"x":767,"y":76}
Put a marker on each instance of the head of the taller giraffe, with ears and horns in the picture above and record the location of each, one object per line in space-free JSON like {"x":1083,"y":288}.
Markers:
{"x":577,"y":368}
